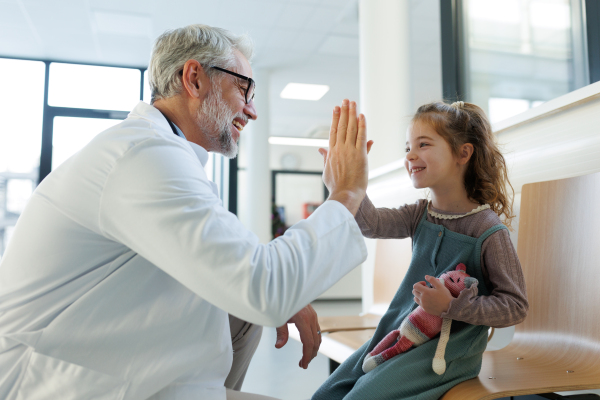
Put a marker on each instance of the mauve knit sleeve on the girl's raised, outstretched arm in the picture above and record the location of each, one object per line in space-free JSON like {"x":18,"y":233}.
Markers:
{"x":389,"y":223}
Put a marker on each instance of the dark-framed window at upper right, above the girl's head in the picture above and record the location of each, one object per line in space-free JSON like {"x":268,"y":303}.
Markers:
{"x":516,"y":54}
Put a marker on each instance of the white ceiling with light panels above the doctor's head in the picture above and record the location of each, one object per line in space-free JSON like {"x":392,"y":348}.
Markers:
{"x":306,"y":41}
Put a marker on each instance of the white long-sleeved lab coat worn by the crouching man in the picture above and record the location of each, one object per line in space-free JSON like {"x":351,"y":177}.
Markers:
{"x":121,"y":271}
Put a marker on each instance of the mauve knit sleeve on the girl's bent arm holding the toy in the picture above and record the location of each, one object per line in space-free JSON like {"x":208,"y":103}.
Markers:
{"x":507,"y":305}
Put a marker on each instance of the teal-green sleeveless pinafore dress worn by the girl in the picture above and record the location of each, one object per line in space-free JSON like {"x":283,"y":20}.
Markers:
{"x":410,"y":375}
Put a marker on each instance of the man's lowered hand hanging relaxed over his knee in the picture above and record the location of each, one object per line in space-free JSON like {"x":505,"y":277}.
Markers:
{"x":308,"y":326}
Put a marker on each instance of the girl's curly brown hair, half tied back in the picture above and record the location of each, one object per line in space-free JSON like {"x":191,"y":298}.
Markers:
{"x":486,"y":178}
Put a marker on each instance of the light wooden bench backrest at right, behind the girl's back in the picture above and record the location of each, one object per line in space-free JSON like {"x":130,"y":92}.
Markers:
{"x":559,"y":249}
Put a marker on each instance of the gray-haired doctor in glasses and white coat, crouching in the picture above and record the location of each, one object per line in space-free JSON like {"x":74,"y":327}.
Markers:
{"x":125,"y":277}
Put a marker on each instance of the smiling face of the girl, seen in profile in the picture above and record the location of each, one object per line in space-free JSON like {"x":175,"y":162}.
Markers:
{"x":429,"y":159}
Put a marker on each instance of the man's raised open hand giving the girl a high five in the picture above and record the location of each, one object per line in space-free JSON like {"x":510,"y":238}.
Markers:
{"x":346,"y":168}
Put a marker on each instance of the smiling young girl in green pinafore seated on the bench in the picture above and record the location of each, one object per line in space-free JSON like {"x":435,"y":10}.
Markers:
{"x":450,"y":149}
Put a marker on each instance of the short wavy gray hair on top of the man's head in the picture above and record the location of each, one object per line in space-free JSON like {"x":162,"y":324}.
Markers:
{"x":206,"y":44}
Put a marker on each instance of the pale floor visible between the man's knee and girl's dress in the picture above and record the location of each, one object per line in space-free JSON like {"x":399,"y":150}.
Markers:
{"x":275,"y":372}
